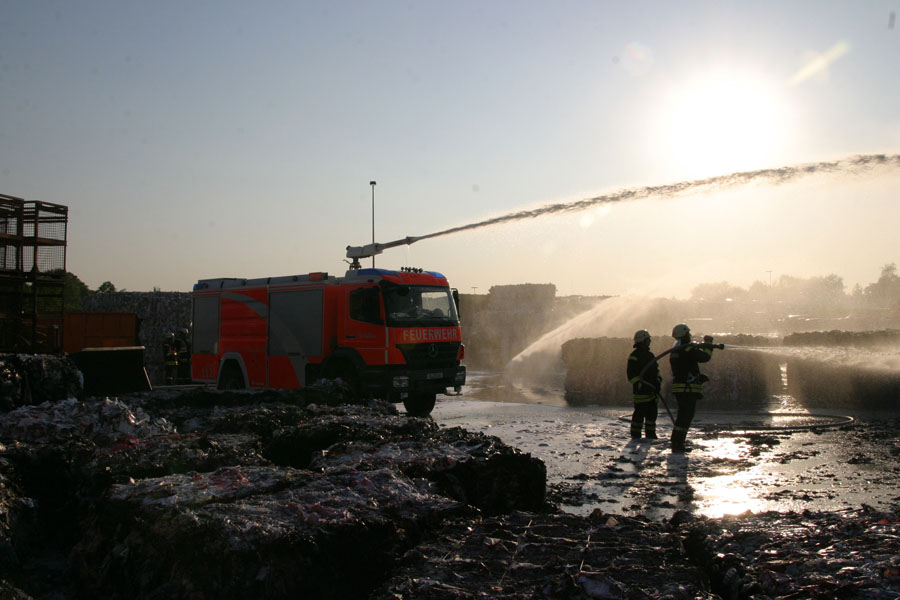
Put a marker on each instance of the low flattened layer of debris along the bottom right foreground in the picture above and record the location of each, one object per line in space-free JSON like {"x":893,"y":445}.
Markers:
{"x":850,"y":554}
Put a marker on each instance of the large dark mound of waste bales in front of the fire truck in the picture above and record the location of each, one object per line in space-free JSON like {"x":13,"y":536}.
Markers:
{"x":263,"y":495}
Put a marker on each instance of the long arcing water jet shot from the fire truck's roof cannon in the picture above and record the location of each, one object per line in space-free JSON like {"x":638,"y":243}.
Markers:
{"x":853,"y":165}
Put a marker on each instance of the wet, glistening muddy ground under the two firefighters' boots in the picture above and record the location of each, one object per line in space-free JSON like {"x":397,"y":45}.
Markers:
{"x":737,"y":463}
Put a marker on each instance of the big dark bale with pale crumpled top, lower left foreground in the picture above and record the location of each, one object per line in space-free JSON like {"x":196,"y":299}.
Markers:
{"x":261,"y":532}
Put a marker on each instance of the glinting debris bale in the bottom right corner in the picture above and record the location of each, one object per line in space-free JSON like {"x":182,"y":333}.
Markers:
{"x":846,"y":554}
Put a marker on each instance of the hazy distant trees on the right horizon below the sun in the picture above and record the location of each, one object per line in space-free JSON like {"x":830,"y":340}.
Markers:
{"x":811,"y":291}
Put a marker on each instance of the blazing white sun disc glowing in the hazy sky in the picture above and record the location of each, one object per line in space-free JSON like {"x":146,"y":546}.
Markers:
{"x":722,"y":123}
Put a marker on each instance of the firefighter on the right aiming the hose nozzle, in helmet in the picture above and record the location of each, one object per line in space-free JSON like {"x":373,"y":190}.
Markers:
{"x":687,"y":380}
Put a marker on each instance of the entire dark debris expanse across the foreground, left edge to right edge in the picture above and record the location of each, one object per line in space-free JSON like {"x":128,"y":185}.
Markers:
{"x":201,"y":494}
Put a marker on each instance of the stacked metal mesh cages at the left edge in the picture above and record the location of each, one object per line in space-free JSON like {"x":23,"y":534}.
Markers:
{"x":33,"y":240}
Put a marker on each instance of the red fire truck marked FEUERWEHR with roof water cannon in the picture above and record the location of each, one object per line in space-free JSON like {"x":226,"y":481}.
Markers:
{"x":388,"y":334}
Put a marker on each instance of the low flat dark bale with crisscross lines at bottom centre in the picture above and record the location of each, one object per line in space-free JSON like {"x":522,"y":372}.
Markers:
{"x":553,"y":556}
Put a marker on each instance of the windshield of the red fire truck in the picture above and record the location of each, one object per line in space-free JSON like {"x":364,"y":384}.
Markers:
{"x":419,"y":304}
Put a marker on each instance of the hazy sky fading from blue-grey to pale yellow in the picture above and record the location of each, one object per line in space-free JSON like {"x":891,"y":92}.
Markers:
{"x":220,"y":138}
